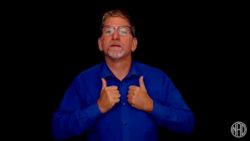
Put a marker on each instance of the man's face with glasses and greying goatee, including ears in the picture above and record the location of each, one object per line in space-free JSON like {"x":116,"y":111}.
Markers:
{"x":117,"y":41}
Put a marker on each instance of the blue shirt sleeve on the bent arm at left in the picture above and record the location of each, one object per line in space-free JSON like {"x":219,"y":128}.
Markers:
{"x":73,"y":118}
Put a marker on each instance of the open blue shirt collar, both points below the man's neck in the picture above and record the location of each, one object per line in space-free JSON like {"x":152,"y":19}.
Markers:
{"x":106,"y":72}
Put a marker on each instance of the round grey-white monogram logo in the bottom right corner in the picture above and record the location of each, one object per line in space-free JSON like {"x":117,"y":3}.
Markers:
{"x":239,"y":129}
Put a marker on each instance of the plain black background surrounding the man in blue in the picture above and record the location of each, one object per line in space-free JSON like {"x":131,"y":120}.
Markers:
{"x":201,"y":46}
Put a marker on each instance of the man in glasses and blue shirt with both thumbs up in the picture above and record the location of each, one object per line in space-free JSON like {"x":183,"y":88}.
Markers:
{"x":121,"y":99}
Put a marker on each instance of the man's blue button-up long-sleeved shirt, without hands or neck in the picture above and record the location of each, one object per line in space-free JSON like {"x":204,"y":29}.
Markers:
{"x":79,"y":113}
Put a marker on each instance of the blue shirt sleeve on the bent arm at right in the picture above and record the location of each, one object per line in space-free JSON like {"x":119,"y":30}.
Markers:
{"x":172,"y":112}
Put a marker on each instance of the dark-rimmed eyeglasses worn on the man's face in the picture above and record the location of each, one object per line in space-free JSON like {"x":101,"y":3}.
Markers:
{"x":122,"y":30}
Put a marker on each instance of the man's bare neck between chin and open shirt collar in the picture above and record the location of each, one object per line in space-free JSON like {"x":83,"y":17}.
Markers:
{"x":120,"y":67}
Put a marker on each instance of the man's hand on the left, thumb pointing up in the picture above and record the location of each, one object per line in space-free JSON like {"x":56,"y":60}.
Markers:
{"x":109,"y":96}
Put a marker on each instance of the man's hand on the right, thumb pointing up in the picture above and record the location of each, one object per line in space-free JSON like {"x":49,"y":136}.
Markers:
{"x":139,"y":98}
